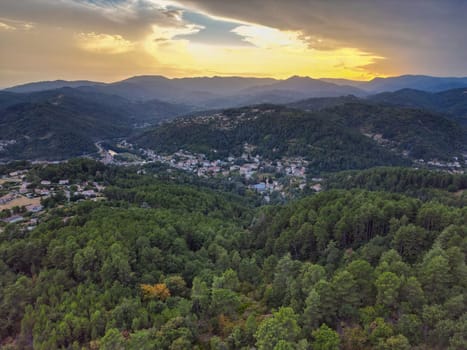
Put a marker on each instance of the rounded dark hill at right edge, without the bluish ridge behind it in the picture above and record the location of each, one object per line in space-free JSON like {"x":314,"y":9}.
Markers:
{"x":417,"y":133}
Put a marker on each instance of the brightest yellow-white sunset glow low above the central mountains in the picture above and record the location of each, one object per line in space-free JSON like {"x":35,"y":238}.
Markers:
{"x":274,"y":53}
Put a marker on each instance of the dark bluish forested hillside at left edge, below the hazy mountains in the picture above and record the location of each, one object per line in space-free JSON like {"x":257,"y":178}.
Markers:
{"x":59,"y":124}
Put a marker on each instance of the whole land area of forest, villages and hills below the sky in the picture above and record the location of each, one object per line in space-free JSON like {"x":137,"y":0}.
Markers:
{"x":149,"y":224}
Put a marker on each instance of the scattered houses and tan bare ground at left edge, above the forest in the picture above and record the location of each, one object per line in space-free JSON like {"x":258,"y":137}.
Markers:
{"x":25,"y":202}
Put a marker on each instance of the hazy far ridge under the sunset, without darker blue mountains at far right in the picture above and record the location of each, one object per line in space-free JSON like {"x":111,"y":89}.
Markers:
{"x":206,"y":93}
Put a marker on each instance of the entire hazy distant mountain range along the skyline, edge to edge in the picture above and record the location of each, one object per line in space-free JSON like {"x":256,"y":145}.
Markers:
{"x":223,"y":92}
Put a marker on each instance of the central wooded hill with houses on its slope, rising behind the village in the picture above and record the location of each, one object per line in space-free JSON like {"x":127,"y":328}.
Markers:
{"x":275,"y":132}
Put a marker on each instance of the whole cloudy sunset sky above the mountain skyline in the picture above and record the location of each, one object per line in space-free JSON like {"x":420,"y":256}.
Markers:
{"x":109,"y":40}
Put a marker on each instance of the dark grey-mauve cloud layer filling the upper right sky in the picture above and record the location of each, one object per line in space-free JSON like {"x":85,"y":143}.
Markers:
{"x":420,"y":36}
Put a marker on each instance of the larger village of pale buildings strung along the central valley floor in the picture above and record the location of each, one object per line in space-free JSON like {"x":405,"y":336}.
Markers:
{"x":261,"y":175}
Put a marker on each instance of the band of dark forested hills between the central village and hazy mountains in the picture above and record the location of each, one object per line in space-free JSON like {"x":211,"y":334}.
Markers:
{"x":381,"y":130}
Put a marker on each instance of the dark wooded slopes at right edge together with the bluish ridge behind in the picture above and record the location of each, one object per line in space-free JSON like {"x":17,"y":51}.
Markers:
{"x":409,"y":121}
